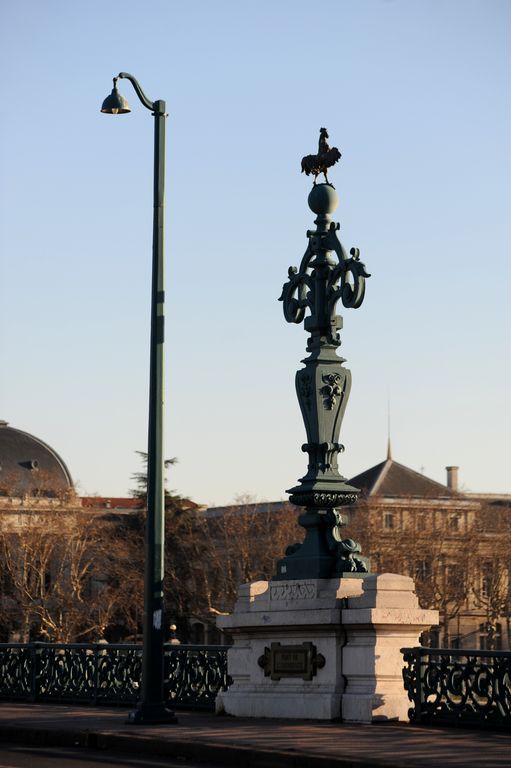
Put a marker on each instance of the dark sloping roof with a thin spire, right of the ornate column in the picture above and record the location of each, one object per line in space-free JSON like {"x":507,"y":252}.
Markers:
{"x":393,"y":479}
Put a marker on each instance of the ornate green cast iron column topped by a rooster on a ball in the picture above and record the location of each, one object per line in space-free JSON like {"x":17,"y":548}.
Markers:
{"x":326,"y":274}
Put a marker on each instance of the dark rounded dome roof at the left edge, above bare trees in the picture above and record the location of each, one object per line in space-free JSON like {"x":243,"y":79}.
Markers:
{"x":30,"y":467}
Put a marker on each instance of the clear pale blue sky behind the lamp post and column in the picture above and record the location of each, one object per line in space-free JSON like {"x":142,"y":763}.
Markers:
{"x":415,"y":93}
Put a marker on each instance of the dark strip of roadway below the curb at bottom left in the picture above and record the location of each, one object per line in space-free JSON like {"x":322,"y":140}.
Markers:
{"x":12,"y":756}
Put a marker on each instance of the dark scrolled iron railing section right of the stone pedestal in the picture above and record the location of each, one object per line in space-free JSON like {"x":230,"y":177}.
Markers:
{"x":463,"y":687}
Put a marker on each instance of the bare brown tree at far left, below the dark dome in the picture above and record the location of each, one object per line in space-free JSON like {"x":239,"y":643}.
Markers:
{"x":65,"y":574}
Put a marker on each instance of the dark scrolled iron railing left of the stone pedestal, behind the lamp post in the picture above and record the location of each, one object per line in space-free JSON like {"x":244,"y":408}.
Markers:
{"x":91,"y":673}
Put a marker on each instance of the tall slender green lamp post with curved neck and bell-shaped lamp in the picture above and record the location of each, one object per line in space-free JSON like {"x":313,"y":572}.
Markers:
{"x":151,"y":708}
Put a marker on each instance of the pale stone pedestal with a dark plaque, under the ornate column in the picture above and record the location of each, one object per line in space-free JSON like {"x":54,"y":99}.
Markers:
{"x":322,"y":649}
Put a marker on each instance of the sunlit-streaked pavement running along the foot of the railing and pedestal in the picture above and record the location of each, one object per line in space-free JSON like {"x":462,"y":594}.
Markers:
{"x":255,"y":743}
